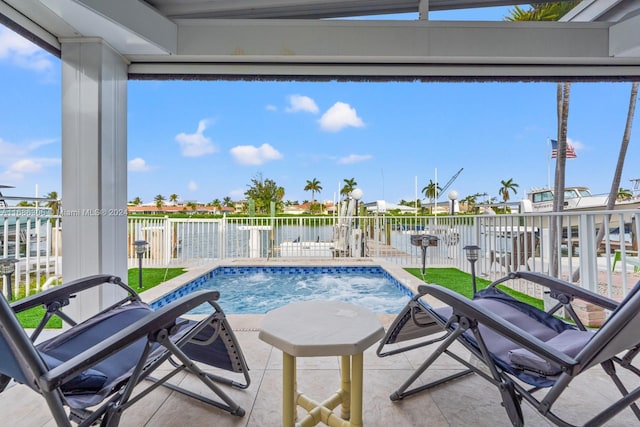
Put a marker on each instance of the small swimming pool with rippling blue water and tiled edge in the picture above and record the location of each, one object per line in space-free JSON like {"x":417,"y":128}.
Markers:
{"x":258,"y":290}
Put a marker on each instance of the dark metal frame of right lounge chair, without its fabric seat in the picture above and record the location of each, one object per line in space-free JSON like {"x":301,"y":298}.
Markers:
{"x":619,"y":335}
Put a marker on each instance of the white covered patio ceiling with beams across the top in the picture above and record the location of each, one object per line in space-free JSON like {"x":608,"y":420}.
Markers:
{"x":297,"y":39}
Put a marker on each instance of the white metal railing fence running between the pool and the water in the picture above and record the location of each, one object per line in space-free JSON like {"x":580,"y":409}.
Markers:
{"x":507,"y":242}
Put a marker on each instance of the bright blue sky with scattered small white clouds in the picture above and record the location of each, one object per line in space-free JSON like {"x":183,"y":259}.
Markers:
{"x":207,"y":140}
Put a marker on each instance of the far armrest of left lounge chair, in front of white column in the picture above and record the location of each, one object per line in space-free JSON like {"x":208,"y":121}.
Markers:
{"x":65,"y":291}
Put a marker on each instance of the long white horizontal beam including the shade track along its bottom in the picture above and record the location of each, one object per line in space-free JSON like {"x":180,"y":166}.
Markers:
{"x":291,"y":48}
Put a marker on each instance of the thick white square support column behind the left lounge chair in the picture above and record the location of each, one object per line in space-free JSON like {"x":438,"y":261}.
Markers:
{"x":94,"y":166}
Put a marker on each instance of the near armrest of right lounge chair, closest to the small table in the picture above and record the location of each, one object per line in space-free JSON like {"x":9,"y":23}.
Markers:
{"x":468,"y":308}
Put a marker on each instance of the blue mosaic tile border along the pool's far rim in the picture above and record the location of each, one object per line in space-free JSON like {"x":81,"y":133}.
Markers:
{"x":196,"y":284}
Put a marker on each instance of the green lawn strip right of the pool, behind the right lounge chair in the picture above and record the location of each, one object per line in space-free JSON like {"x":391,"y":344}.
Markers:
{"x":461,"y":283}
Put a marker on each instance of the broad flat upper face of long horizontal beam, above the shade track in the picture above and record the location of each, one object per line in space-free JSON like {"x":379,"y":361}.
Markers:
{"x":330,"y":40}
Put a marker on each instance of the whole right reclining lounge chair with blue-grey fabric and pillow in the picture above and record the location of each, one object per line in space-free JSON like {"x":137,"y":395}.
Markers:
{"x":526,"y":350}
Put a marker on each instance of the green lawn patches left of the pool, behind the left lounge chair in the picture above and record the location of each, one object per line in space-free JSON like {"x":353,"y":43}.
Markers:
{"x":150,"y":277}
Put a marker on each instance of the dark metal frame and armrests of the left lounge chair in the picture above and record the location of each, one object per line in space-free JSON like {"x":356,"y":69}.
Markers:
{"x":167,"y":336}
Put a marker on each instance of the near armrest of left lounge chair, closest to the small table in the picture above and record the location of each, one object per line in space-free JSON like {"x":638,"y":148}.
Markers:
{"x":150,"y":324}
